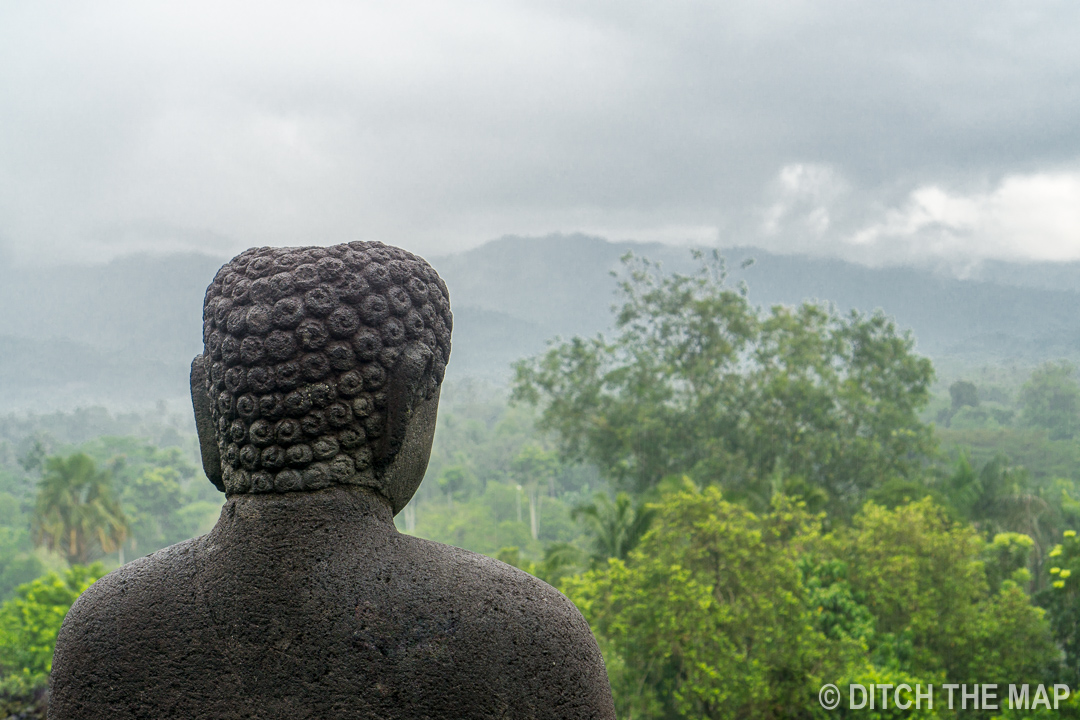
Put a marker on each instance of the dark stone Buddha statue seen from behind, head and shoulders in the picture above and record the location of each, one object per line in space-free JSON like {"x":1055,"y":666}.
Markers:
{"x":316,"y":401}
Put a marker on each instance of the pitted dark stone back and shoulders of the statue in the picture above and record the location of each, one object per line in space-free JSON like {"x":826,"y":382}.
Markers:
{"x":294,"y":623}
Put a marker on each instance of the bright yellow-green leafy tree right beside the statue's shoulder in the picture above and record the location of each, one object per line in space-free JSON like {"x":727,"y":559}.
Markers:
{"x":708,"y":619}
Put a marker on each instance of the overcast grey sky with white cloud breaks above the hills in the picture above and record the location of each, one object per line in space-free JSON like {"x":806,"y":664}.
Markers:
{"x":880,"y":132}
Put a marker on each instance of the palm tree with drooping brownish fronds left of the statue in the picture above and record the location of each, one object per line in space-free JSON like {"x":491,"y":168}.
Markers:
{"x":76,"y":511}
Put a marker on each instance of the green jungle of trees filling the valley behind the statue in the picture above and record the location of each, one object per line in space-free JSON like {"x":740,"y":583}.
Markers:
{"x":746,"y":504}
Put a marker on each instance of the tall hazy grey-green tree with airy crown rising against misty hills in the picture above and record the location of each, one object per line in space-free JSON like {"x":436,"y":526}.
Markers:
{"x":700,"y":383}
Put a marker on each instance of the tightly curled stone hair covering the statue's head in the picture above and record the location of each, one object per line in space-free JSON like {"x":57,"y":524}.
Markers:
{"x":315,"y":361}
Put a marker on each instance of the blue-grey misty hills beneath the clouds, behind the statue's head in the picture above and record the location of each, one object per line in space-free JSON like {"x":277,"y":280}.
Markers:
{"x":124,"y":334}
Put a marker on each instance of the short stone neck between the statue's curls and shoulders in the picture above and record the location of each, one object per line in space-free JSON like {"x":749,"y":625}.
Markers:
{"x":336,"y":514}
